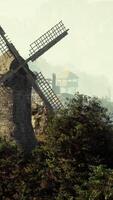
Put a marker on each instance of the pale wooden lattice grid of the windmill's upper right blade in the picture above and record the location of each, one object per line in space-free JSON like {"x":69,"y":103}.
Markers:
{"x":48,"y":37}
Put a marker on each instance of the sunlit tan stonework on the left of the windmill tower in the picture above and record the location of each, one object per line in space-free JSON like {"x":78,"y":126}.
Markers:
{"x":6,"y":101}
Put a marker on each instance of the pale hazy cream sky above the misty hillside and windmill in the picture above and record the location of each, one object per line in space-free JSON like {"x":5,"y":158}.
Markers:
{"x":88,"y":48}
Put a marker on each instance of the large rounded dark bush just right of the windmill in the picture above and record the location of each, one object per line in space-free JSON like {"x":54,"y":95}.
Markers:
{"x":82,"y":131}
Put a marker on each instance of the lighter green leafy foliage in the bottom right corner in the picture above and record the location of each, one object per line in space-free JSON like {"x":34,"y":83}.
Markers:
{"x":99,"y":186}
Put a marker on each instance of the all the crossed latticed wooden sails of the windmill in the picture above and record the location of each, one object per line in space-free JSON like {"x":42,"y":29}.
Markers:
{"x":39,"y":47}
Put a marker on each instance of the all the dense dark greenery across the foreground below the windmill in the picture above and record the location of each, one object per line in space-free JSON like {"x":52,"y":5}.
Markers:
{"x":75,"y":162}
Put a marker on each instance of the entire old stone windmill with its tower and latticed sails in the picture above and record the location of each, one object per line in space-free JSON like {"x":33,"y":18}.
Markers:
{"x":16,"y":82}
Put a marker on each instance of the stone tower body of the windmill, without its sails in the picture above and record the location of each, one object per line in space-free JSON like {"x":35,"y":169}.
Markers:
{"x":15,"y":106}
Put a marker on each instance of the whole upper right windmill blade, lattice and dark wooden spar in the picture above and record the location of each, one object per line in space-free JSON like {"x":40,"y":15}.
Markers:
{"x":46,"y":41}
